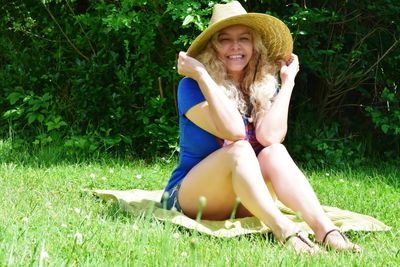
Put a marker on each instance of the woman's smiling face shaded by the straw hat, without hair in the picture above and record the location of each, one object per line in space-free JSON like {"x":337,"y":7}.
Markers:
{"x":235,"y":48}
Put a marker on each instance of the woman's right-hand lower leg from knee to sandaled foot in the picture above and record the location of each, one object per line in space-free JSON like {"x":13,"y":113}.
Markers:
{"x":294,"y":190}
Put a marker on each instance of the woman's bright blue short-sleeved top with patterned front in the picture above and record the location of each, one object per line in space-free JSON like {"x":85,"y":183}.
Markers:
{"x":196,"y":143}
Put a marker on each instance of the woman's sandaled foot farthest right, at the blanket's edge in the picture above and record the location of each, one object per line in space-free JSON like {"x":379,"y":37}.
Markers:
{"x":336,"y":240}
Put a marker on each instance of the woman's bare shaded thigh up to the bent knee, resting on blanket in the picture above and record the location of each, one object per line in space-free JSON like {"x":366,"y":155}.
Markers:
{"x":212,"y":178}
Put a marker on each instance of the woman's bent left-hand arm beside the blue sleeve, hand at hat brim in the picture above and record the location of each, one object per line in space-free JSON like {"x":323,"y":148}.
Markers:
{"x":217,"y":115}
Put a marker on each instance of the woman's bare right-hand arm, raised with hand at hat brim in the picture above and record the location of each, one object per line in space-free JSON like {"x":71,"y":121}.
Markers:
{"x":271,"y":125}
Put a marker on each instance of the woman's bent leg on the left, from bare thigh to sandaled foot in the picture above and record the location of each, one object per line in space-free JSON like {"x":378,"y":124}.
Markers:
{"x":229,"y":172}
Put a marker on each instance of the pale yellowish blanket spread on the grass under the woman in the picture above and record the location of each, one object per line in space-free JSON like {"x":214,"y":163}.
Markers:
{"x":138,"y":201}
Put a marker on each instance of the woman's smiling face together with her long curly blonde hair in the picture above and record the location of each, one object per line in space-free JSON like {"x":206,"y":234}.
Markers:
{"x":243,"y":70}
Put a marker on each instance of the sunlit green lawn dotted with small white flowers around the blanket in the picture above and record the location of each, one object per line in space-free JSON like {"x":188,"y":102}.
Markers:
{"x":45,"y":219}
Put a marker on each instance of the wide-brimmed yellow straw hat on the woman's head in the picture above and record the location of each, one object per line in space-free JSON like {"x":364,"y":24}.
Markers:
{"x":274,"y":33}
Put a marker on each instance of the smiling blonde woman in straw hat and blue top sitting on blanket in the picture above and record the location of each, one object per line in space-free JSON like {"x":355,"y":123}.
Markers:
{"x":232,"y":123}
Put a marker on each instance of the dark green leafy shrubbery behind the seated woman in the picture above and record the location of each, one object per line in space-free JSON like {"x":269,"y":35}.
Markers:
{"x":97,"y":76}
